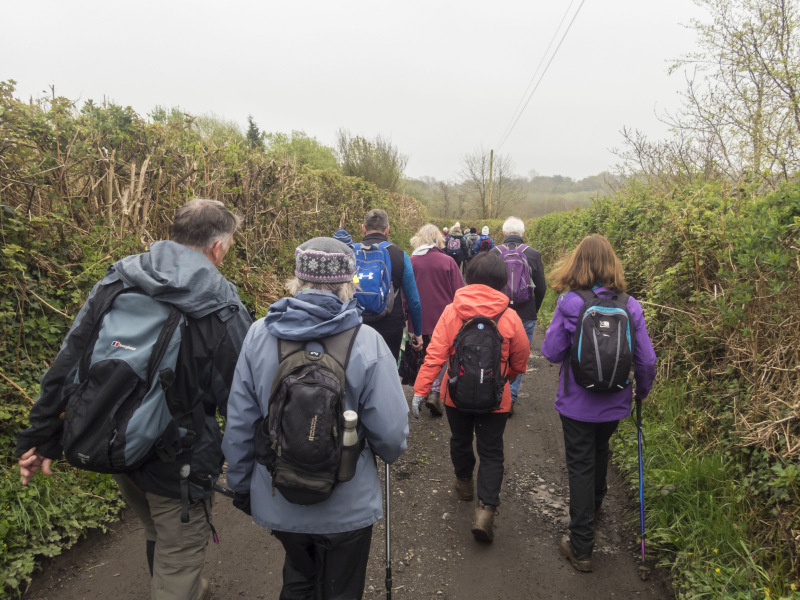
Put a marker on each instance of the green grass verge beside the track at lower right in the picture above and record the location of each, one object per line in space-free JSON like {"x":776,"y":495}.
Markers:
{"x":699,"y":511}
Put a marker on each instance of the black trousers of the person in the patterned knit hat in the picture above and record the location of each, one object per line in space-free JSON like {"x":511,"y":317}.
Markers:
{"x":325,"y":566}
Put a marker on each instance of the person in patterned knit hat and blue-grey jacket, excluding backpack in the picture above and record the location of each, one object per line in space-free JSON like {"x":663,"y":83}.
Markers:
{"x":327,"y":543}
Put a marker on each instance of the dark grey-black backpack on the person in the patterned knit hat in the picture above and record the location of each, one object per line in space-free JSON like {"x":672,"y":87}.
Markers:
{"x":300,"y":440}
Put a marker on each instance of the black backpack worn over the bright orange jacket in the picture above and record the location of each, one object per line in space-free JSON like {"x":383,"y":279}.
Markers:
{"x":476,"y":380}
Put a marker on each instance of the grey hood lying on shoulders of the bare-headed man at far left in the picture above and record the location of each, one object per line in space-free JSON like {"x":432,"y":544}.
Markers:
{"x":178,"y":275}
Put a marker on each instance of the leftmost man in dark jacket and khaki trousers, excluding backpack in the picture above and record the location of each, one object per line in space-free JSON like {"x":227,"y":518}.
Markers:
{"x":183,"y":273}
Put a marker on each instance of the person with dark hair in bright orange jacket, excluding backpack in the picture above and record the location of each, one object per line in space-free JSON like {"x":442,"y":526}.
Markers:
{"x":486,"y":276}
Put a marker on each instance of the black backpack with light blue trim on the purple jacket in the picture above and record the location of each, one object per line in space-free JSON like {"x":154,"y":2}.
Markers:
{"x":602,"y":349}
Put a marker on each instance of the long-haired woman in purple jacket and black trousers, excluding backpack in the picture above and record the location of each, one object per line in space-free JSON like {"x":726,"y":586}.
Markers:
{"x":589,"y":418}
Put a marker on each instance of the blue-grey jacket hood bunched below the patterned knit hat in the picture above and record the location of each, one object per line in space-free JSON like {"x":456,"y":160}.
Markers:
{"x":311,"y":315}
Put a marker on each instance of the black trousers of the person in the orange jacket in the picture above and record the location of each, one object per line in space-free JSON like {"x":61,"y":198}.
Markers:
{"x":488,"y":430}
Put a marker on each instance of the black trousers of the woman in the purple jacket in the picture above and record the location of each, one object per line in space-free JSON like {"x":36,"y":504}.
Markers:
{"x":586,"y":446}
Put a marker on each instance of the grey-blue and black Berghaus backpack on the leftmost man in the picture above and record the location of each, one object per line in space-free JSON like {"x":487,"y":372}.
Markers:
{"x":122,"y":408}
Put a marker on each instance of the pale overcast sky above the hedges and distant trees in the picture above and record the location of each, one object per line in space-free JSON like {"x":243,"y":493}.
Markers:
{"x":440,"y":79}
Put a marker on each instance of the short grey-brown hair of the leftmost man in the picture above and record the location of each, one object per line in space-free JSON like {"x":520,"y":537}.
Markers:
{"x":201,"y":223}
